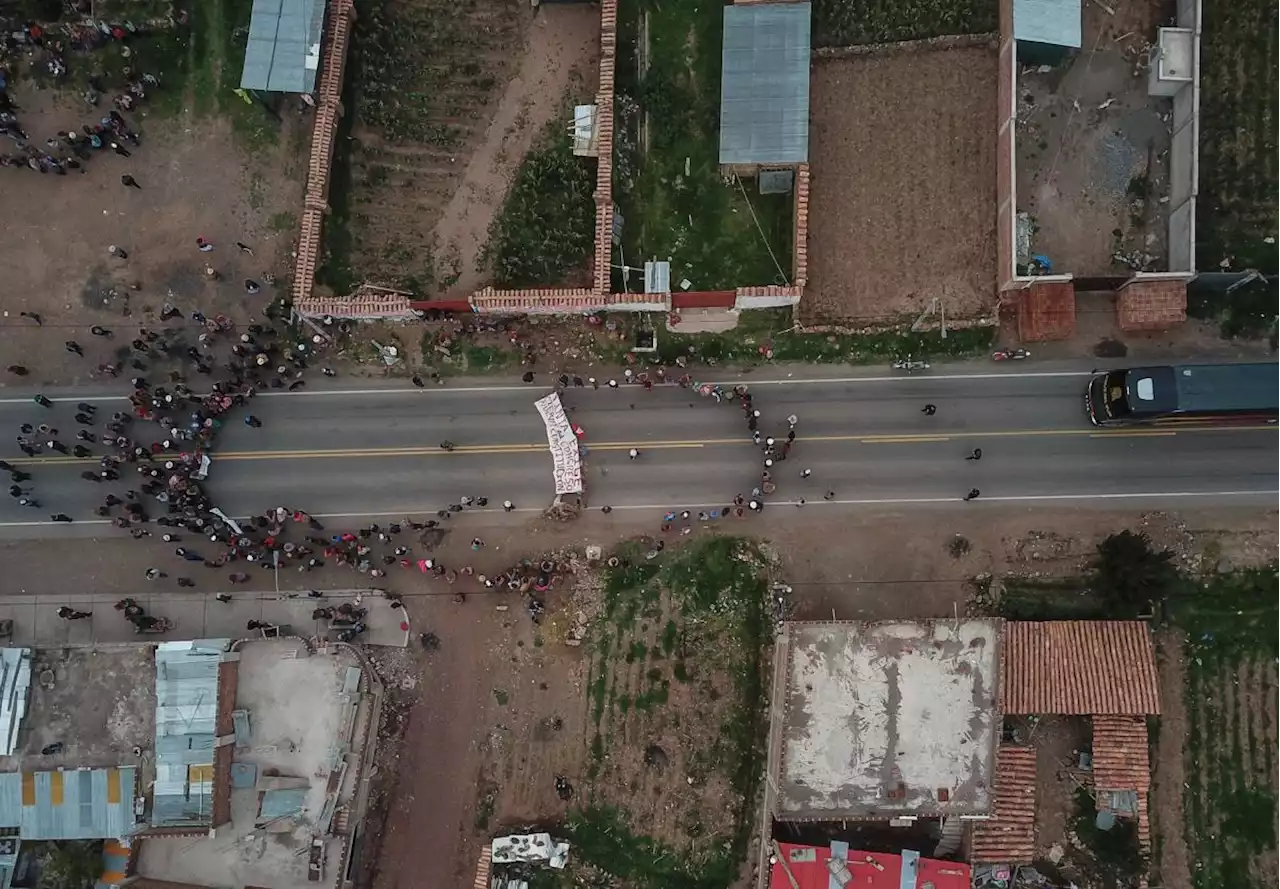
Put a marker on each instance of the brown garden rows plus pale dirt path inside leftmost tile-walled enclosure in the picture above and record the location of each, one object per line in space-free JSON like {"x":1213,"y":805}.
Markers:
{"x":449,"y":102}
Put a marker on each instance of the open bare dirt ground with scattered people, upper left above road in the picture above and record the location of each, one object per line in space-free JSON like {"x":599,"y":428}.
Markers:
{"x":195,"y":182}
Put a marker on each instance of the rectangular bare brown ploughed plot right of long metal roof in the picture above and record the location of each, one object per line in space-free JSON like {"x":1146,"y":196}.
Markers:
{"x":903,"y":153}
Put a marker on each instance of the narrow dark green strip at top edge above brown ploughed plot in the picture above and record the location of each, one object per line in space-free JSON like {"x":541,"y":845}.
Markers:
{"x":849,"y":22}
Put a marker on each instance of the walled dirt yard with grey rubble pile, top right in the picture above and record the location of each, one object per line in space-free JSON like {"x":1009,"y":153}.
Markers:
{"x":1094,"y":152}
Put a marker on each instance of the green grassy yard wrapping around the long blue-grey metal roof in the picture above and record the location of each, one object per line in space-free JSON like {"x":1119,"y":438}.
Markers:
{"x":670,"y":191}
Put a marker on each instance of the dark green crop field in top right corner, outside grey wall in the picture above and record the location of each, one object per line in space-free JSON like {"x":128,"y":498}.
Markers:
{"x":1240,"y":186}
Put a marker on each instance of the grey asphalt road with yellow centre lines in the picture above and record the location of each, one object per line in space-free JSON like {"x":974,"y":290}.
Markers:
{"x":376,"y":452}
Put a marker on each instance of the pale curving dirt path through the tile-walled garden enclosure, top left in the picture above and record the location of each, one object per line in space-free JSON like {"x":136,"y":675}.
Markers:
{"x":565,"y":39}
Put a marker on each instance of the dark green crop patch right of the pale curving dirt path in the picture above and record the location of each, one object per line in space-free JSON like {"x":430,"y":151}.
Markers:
{"x":547,"y":226}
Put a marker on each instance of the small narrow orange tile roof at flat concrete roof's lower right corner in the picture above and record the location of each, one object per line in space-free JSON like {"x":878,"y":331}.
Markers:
{"x":1009,"y":836}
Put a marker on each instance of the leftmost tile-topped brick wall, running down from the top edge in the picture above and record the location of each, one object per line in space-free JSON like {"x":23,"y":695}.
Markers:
{"x":333,"y":62}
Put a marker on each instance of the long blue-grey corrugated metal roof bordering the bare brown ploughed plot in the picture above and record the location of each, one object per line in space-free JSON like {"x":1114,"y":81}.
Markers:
{"x":765,"y":85}
